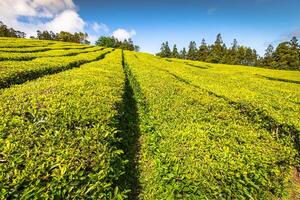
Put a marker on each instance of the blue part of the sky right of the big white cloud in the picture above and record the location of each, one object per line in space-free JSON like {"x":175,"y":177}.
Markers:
{"x":254,"y":23}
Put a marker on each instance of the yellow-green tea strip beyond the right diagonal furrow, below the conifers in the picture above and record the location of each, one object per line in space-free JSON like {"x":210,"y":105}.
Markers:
{"x":245,"y":85}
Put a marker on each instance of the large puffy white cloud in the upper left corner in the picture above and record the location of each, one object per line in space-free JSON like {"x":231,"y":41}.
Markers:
{"x":32,"y":15}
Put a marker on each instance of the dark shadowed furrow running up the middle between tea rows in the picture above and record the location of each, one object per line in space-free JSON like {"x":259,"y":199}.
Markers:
{"x":129,"y":126}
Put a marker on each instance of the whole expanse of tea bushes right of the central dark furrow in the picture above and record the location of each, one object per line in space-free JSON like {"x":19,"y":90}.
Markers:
{"x":200,"y":141}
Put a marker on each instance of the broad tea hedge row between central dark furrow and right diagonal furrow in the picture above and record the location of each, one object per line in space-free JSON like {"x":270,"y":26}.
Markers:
{"x":195,"y":145}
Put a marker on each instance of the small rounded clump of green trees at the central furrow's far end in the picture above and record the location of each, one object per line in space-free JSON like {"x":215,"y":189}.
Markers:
{"x":115,"y":43}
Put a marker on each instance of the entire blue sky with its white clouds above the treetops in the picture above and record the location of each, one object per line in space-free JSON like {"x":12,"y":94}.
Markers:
{"x":254,"y":23}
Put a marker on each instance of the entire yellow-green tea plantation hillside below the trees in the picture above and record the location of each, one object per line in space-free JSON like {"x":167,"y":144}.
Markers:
{"x":80,"y":121}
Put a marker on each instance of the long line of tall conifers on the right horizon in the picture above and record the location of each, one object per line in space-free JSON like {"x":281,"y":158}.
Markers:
{"x":285,"y":56}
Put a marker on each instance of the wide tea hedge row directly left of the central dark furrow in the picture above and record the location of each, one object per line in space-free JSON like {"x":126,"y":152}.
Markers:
{"x":59,"y":136}
